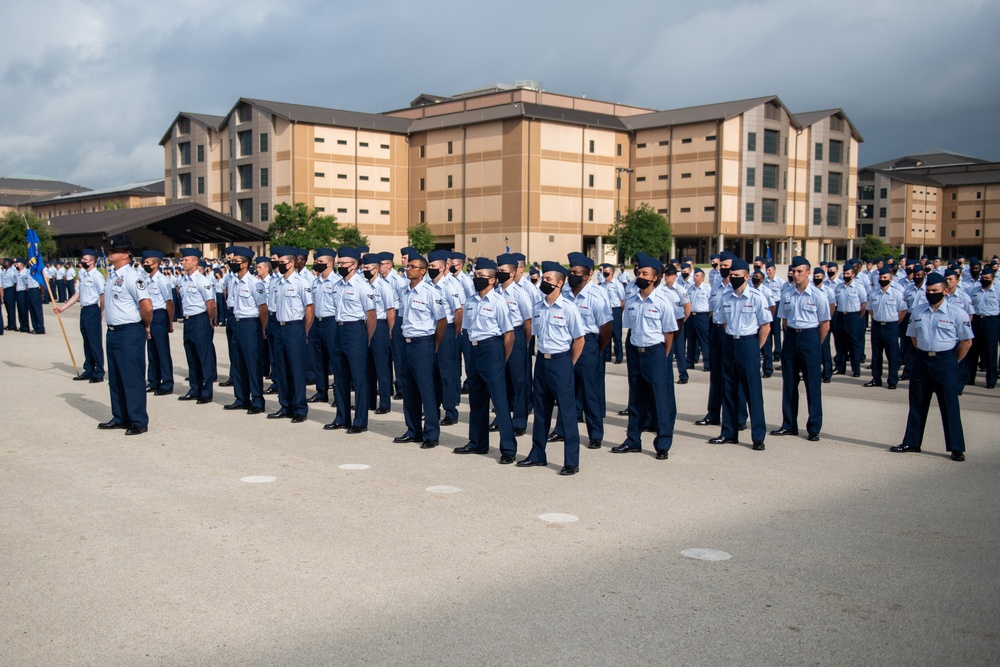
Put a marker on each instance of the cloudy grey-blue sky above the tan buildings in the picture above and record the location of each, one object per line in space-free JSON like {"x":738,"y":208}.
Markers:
{"x":89,"y":87}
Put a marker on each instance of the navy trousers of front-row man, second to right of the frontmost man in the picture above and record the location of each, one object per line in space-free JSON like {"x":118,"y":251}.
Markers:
{"x":741,"y":356}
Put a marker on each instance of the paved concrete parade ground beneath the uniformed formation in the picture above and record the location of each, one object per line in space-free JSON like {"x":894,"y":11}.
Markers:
{"x":154,"y":549}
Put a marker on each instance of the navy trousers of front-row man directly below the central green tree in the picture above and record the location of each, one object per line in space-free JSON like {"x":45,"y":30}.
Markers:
{"x":650,"y":392}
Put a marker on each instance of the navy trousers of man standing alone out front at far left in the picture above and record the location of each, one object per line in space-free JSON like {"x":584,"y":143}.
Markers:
{"x":126,"y":368}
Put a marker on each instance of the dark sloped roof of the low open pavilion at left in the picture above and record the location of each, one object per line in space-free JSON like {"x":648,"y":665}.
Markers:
{"x":184,"y":223}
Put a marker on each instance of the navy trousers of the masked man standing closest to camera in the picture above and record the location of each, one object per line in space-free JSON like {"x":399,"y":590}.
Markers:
{"x":553,"y":385}
